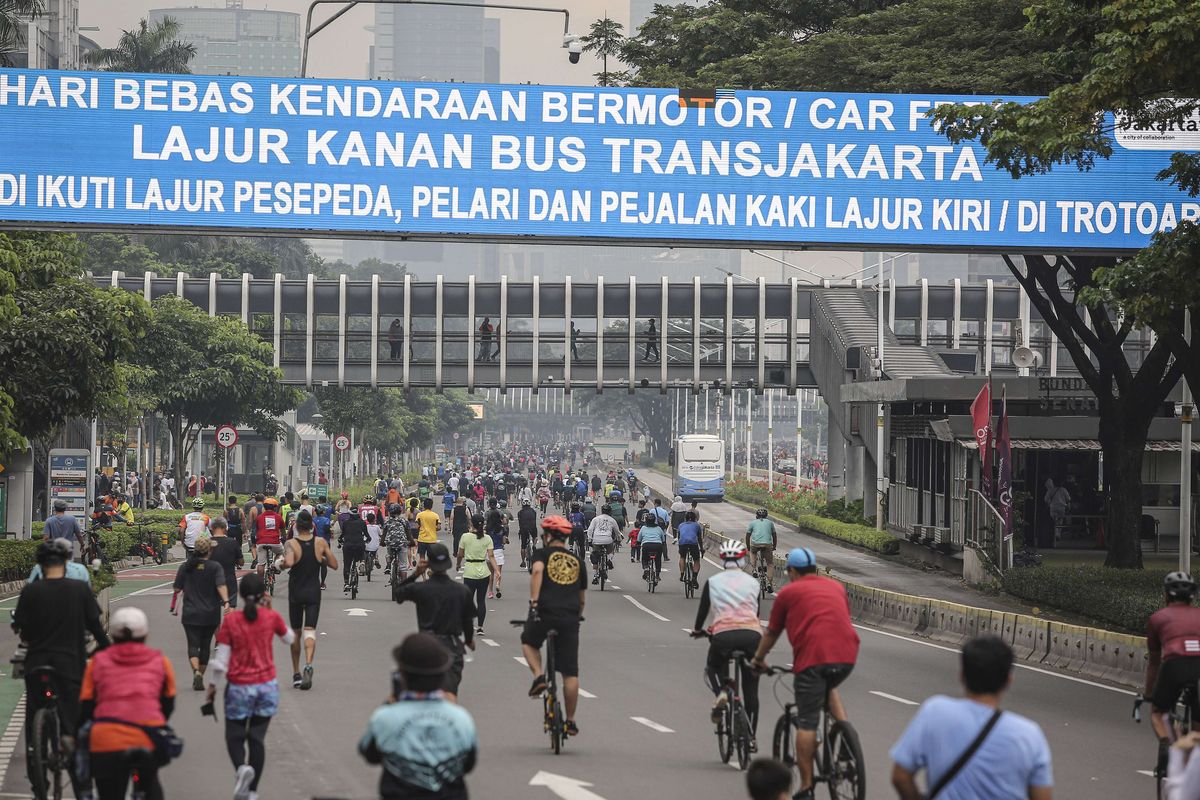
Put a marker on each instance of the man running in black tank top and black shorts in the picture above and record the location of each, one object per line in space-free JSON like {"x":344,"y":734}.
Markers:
{"x":303,"y":557}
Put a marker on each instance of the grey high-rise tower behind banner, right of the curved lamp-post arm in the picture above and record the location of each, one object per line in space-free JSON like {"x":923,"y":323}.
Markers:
{"x":435,"y":44}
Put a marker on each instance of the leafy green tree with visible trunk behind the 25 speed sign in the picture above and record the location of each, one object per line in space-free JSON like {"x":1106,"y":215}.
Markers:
{"x":206,"y":371}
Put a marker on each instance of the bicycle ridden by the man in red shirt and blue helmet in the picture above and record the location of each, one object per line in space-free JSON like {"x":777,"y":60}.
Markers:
{"x":839,"y":757}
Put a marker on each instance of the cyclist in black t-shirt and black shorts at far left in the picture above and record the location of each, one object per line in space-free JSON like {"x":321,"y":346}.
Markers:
{"x":52,"y":618}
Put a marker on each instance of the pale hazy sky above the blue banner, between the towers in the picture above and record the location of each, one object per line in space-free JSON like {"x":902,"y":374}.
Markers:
{"x":531,"y":47}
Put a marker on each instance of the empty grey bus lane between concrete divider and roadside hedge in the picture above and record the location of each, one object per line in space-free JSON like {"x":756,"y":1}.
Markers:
{"x":855,"y":566}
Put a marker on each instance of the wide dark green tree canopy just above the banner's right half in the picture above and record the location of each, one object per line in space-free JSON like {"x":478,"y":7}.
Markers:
{"x":881,"y":46}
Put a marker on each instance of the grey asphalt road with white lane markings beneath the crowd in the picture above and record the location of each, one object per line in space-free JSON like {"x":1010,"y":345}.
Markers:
{"x":645,"y":721}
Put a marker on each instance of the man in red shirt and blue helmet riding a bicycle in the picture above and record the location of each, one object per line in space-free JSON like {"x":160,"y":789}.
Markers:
{"x":815,"y":612}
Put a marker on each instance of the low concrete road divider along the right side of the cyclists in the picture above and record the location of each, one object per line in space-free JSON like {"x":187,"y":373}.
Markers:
{"x":1101,"y":654}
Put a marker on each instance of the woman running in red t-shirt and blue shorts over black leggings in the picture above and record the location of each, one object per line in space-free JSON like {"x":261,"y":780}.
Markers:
{"x":253,"y":694}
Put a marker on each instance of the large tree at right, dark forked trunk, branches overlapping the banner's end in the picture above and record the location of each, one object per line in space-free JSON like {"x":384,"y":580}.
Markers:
{"x":1137,"y":62}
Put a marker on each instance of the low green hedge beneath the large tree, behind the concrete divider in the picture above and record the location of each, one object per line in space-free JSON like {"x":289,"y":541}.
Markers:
{"x":1124,"y":599}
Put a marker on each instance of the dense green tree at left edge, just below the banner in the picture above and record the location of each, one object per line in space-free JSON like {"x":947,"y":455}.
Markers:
{"x":62,"y":338}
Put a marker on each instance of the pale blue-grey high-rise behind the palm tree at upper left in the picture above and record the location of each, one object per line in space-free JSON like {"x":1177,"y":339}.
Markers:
{"x":239,"y":41}
